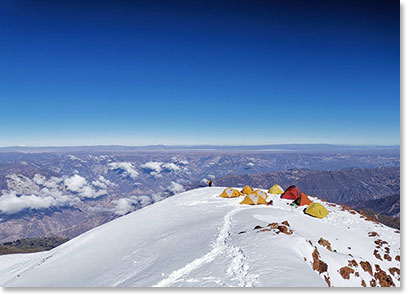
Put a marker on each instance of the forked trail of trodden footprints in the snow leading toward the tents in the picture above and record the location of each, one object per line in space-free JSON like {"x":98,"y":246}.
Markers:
{"x":238,"y":269}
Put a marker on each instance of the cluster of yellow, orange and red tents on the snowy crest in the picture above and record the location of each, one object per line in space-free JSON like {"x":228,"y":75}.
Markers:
{"x":255,"y":197}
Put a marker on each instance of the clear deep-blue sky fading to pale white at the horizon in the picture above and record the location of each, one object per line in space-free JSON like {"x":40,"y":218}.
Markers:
{"x":199,"y":72}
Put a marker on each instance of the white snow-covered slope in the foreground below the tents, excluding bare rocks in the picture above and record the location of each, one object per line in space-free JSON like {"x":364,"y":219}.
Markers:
{"x":196,"y":239}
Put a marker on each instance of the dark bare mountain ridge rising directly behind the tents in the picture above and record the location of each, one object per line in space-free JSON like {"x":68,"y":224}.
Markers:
{"x":364,"y":188}
